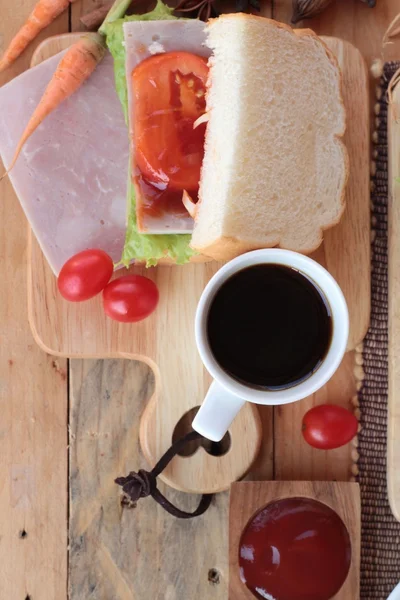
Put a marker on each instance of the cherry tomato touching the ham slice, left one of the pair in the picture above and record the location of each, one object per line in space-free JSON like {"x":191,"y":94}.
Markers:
{"x":85,"y":275}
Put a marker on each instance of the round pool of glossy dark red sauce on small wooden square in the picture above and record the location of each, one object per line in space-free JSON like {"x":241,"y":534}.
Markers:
{"x":295,"y":549}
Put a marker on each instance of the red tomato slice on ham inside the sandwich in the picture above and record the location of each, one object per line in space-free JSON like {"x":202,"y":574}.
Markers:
{"x":169,"y":95}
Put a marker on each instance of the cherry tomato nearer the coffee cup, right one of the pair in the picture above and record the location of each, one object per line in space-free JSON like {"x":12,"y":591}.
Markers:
{"x":130,"y":298}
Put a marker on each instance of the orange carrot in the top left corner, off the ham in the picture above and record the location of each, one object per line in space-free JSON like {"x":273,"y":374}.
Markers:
{"x":43,"y":14}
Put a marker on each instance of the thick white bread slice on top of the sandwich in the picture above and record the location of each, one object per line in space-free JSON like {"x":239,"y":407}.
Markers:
{"x":275,"y":169}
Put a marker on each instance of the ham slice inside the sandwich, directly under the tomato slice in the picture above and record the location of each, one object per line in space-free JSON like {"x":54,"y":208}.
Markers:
{"x":144,"y":39}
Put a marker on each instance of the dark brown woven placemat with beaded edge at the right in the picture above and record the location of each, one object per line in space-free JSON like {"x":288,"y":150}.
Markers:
{"x":380,"y":548}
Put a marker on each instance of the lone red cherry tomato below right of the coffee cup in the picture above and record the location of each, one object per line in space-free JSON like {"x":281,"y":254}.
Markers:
{"x":329,"y":426}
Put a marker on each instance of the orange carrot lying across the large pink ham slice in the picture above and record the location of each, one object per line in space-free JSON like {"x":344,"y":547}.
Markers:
{"x":74,"y":68}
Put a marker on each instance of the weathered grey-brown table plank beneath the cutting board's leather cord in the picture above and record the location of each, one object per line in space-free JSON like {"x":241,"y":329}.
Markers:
{"x":144,"y":553}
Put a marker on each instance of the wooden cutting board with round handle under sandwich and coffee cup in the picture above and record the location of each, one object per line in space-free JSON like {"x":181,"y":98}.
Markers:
{"x":165,"y":341}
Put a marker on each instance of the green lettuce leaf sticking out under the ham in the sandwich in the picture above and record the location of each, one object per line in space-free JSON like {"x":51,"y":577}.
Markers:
{"x":139,"y":246}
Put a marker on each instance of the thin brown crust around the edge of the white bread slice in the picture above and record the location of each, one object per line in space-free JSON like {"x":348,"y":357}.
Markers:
{"x":226,"y":248}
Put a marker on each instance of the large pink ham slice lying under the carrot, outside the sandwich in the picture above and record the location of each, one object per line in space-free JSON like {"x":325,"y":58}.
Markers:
{"x":71,"y":176}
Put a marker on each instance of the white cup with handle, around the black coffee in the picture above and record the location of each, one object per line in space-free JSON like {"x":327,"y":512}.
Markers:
{"x":226,"y":395}
